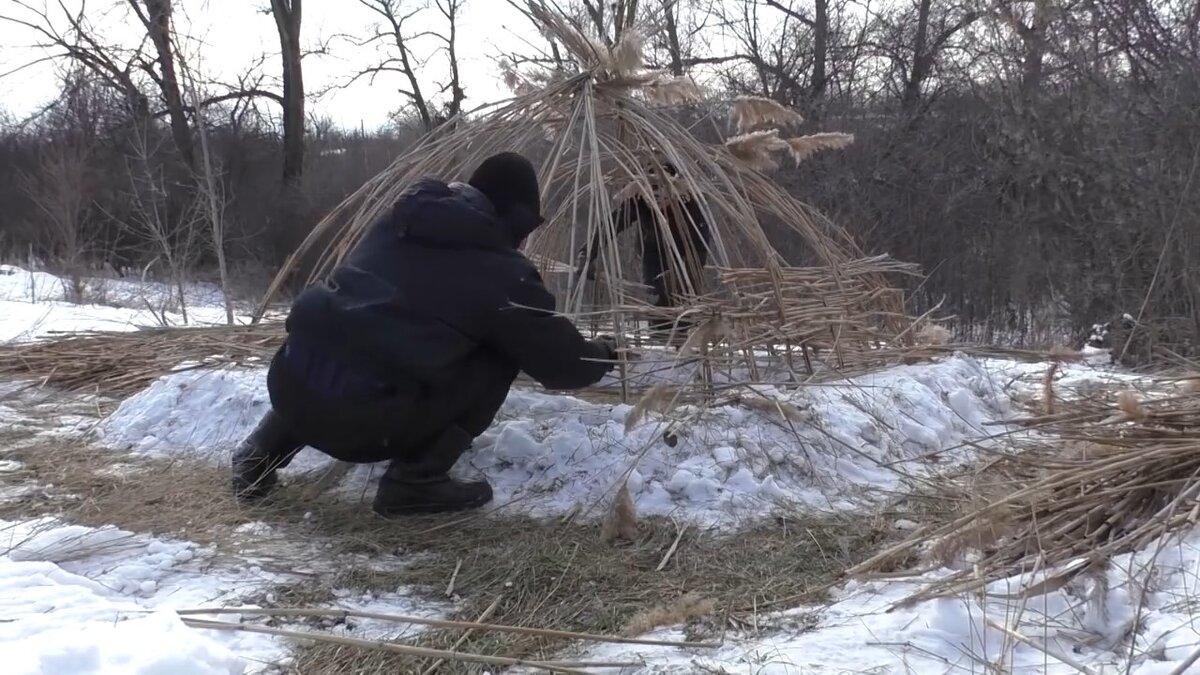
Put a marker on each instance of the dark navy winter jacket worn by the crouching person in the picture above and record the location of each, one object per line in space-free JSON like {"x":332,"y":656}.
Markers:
{"x":431,"y":284}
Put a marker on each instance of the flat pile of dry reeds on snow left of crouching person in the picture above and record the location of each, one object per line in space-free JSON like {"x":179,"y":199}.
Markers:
{"x":123,"y":363}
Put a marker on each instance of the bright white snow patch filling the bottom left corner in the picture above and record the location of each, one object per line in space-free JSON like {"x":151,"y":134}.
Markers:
{"x":80,"y":600}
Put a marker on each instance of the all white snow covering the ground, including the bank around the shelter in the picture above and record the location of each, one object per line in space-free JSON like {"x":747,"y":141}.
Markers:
{"x":85,"y":600}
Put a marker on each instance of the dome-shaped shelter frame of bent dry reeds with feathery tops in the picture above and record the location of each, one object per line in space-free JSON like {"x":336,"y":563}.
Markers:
{"x":602,"y":130}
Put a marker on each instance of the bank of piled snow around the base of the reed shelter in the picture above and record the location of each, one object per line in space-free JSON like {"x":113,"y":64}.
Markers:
{"x":551,"y":455}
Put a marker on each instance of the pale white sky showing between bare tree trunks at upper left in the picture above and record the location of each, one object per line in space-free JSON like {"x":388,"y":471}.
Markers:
{"x":227,"y":38}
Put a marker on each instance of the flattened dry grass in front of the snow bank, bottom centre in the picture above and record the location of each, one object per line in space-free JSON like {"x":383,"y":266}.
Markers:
{"x":568,"y":578}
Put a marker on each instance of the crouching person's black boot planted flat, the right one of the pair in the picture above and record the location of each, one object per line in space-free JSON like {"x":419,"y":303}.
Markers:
{"x":411,"y":488}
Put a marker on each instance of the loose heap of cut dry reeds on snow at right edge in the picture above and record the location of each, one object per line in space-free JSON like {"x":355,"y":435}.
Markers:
{"x":1108,"y":474}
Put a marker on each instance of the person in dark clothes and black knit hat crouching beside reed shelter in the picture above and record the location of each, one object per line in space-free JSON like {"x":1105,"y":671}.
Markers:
{"x":409,"y":351}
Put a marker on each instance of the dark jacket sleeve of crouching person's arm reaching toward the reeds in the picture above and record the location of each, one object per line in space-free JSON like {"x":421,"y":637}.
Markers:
{"x":545,"y":345}
